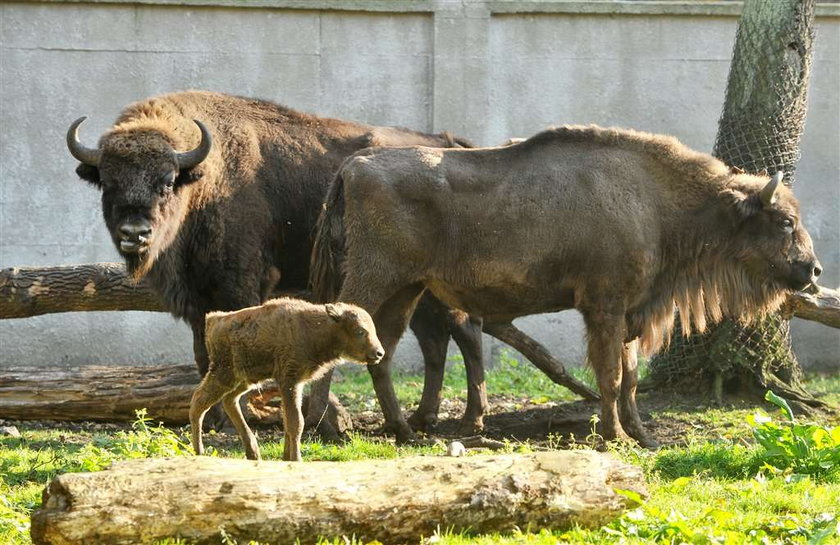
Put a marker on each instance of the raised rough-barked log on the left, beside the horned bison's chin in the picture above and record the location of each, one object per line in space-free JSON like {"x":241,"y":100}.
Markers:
{"x":32,"y":291}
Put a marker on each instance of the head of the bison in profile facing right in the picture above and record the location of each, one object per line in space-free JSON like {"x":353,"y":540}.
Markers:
{"x":772,"y":242}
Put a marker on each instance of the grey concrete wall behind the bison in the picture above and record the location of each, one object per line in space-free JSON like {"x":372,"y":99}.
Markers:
{"x":486,"y":70}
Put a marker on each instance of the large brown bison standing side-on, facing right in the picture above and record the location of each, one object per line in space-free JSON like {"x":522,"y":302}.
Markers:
{"x":623,"y":226}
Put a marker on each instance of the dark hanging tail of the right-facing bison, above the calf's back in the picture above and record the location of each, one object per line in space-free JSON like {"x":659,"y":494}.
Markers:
{"x":325,"y":272}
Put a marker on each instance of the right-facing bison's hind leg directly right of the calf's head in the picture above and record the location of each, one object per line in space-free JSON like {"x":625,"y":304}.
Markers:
{"x":391,"y":320}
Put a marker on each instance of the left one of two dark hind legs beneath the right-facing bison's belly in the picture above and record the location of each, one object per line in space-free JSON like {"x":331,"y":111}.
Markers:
{"x":429,"y":327}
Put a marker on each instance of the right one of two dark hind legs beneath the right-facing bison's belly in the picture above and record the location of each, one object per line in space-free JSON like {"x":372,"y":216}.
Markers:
{"x":466,"y":331}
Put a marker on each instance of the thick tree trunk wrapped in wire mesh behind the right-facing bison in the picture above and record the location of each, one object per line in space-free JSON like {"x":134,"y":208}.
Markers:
{"x":759,"y":130}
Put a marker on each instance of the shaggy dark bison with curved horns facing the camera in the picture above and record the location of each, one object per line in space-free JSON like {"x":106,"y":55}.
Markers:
{"x":214,"y":198}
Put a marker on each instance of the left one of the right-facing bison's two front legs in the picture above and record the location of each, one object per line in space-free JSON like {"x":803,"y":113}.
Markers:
{"x":605,"y":332}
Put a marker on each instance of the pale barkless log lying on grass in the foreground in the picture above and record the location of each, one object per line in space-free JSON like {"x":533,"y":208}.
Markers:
{"x":392,"y":501}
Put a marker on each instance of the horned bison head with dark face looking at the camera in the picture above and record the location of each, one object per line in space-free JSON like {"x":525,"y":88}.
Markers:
{"x":143,"y":182}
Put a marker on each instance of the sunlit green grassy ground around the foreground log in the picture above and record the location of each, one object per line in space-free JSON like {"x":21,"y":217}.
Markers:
{"x":714,"y":485}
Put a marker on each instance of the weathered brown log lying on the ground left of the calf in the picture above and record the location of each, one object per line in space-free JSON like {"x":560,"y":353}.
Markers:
{"x":96,"y":392}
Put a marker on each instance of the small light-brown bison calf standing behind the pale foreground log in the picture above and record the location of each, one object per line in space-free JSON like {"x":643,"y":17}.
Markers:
{"x":289,"y":340}
